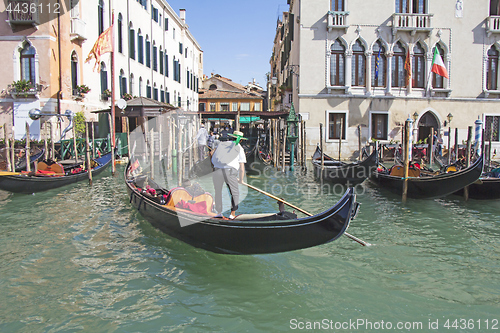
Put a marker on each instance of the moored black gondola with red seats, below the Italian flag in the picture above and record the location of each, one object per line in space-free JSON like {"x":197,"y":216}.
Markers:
{"x":429,"y":187}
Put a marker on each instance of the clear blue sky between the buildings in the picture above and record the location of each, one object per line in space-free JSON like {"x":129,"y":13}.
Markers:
{"x":236,"y":36}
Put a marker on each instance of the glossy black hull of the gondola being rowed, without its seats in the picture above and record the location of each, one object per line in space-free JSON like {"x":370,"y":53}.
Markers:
{"x":248,"y":237}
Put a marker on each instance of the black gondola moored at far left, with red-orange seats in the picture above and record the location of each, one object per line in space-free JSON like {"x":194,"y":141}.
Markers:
{"x":31,"y":182}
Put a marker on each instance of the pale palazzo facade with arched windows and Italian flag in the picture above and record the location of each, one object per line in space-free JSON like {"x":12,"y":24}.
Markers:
{"x":352,"y":62}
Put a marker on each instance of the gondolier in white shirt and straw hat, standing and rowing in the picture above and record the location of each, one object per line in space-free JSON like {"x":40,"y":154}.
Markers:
{"x":229,"y":164}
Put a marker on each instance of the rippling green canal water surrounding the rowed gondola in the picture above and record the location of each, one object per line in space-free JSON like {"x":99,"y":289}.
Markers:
{"x":81,"y":259}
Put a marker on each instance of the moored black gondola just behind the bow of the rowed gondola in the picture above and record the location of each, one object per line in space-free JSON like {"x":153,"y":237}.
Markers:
{"x":344,"y":173}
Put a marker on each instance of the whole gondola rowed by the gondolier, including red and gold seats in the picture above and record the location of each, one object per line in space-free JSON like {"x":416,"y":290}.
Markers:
{"x":247,"y":233}
